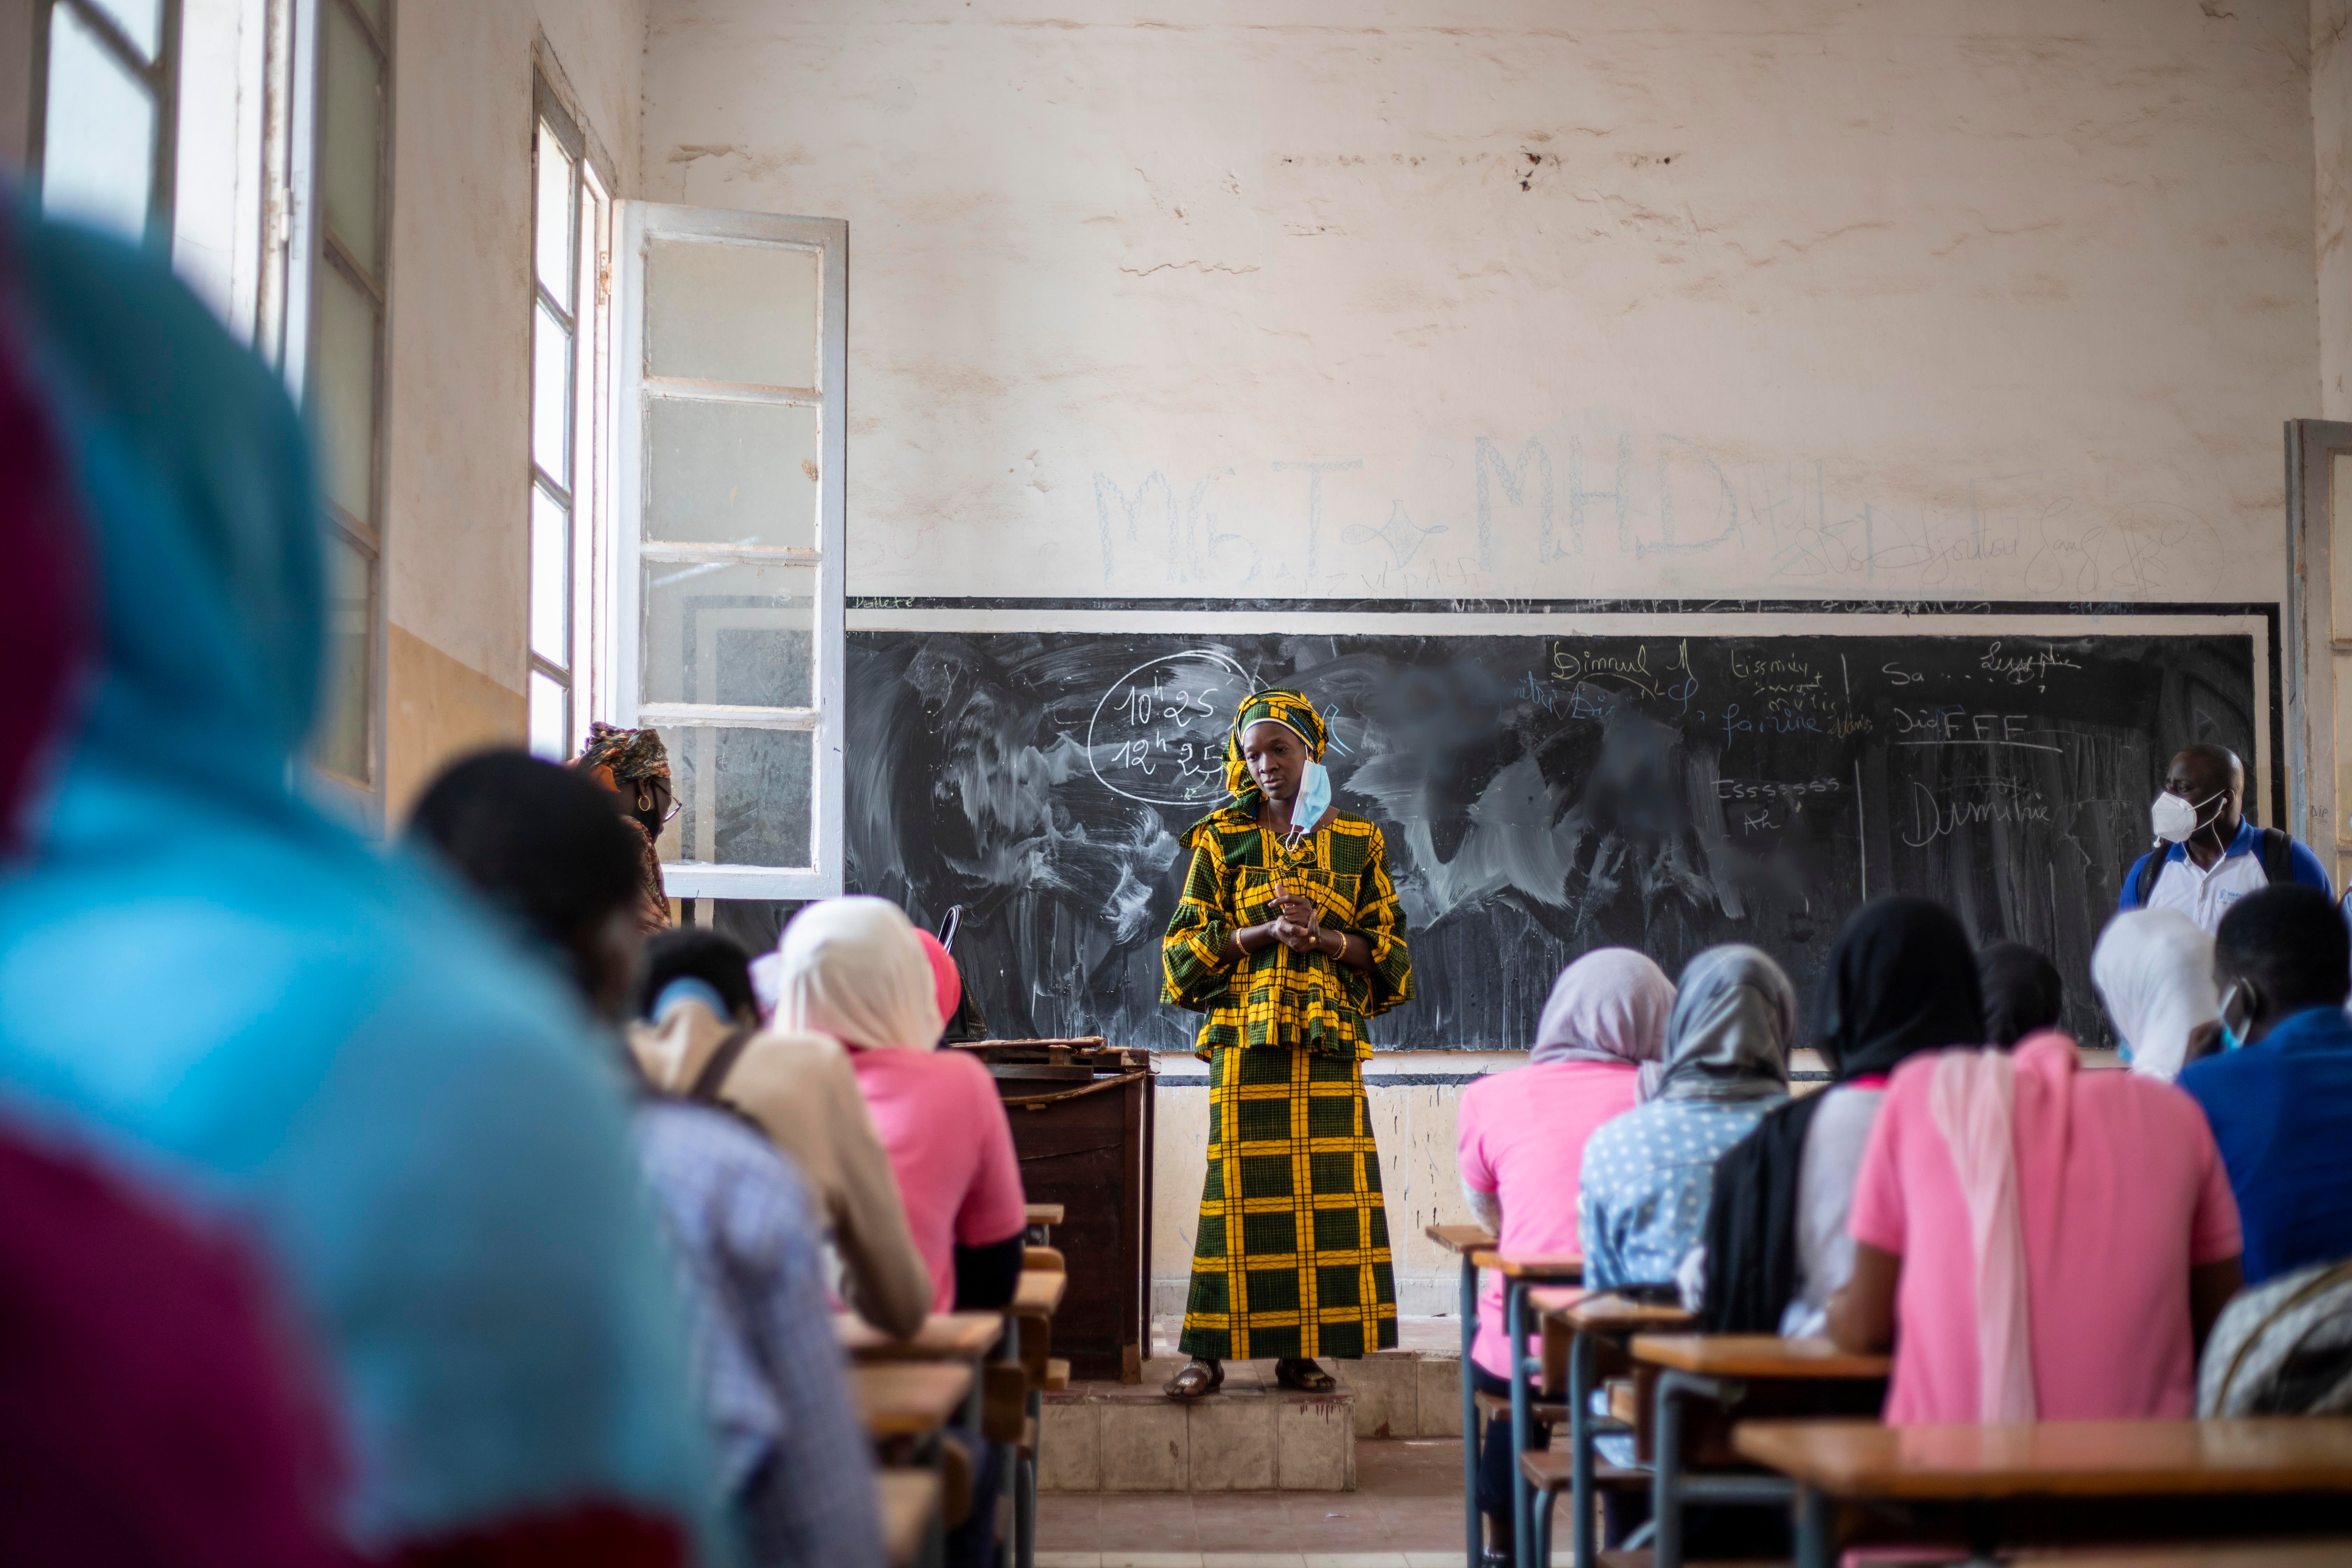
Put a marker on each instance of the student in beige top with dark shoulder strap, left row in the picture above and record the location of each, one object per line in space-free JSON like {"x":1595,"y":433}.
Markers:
{"x":803,"y":1094}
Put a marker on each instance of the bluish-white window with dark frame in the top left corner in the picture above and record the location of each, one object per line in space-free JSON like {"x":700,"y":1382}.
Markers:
{"x":107,"y":83}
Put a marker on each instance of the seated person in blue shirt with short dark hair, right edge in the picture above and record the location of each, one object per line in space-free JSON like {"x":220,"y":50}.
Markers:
{"x":2283,"y":1104}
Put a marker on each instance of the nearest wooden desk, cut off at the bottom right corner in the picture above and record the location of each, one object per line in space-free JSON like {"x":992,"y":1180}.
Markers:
{"x":2186,"y":1470}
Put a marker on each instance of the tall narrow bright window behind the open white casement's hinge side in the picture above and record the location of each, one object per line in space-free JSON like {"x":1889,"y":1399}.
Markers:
{"x":568,"y":220}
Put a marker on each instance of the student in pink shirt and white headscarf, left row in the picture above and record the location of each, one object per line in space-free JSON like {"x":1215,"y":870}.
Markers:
{"x":857,"y":970}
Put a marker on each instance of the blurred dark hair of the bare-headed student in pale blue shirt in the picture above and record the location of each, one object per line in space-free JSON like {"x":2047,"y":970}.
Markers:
{"x":535,"y":840}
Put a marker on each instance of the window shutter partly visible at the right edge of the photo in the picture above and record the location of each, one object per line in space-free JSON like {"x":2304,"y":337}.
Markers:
{"x":2320,"y":638}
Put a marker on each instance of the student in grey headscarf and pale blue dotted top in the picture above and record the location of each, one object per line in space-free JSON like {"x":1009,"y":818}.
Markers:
{"x":1648,"y":1177}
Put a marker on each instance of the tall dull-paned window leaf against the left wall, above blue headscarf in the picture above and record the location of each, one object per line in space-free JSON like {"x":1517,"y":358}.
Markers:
{"x":342,"y":375}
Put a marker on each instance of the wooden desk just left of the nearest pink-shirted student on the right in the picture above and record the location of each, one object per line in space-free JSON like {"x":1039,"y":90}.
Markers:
{"x":1732,"y":1372}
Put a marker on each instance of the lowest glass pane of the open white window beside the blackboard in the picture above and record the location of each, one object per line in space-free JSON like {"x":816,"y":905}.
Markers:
{"x":744,"y":796}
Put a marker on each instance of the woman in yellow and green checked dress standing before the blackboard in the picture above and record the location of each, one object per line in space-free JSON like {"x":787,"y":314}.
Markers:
{"x":1288,"y":939}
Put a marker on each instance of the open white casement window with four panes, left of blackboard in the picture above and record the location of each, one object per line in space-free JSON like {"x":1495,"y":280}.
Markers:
{"x":733,"y":363}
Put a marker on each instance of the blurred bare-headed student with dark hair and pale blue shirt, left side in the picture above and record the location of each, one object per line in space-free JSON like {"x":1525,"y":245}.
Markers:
{"x":544,"y":847}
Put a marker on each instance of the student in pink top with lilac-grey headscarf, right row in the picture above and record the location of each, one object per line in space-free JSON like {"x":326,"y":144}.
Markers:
{"x":1523,"y":1144}
